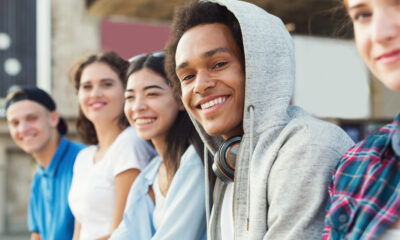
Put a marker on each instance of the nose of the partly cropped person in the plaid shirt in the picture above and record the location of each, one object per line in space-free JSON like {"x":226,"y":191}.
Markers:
{"x":384,"y":27}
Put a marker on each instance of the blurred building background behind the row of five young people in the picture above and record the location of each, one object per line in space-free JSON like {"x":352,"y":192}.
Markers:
{"x":41,"y":39}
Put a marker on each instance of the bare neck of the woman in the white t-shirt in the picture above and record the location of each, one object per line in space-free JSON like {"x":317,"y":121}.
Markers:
{"x":106,"y":134}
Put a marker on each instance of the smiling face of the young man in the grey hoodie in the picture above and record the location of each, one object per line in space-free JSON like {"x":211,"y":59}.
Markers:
{"x":212,"y":78}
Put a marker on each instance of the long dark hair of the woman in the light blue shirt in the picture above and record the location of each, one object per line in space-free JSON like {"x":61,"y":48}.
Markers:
{"x":182,"y":133}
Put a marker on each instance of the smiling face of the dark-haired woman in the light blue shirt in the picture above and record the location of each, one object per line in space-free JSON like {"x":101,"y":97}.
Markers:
{"x":150,"y":105}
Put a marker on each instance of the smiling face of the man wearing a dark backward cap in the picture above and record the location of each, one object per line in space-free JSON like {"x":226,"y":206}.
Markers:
{"x":31,"y":125}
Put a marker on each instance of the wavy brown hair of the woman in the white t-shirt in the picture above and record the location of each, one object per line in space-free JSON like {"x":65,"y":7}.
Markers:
{"x":84,"y":126}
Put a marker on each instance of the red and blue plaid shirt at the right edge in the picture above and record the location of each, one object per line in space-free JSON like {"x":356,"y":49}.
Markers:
{"x":365,"y":189}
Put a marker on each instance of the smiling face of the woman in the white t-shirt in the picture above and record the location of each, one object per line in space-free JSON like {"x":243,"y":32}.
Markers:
{"x":101,"y":94}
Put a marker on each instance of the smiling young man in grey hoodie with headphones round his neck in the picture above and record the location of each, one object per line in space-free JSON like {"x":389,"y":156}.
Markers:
{"x":233,"y":65}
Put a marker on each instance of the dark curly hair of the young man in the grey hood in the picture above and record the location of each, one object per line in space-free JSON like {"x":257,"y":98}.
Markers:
{"x":189,"y":16}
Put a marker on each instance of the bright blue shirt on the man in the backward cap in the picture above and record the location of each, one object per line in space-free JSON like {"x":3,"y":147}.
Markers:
{"x":48,"y":211}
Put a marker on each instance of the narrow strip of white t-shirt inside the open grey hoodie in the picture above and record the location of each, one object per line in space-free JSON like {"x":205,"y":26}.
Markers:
{"x":227,"y":214}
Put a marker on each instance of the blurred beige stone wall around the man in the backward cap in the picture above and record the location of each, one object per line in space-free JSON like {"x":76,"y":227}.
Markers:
{"x":73,"y":33}
